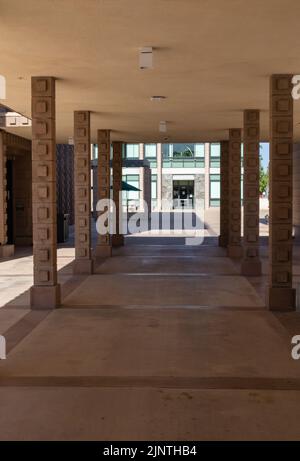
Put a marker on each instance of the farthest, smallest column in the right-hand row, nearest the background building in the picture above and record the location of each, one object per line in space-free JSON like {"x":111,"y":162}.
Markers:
{"x":224,"y":212}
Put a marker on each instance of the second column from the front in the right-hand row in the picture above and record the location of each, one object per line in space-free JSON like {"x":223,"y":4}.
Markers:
{"x":251,"y":264}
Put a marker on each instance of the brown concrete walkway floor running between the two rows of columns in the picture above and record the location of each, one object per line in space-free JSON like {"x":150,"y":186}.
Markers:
{"x":164,"y":342}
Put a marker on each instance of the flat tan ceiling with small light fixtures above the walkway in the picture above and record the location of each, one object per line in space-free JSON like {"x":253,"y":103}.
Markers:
{"x":212,"y":60}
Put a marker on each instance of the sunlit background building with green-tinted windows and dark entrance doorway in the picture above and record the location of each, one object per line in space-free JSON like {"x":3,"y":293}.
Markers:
{"x":179,"y":172}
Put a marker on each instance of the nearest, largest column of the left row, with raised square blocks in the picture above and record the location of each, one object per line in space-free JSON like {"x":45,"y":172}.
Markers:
{"x":45,"y":293}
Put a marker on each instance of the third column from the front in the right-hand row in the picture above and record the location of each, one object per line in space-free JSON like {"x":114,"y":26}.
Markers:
{"x":234,"y":249}
